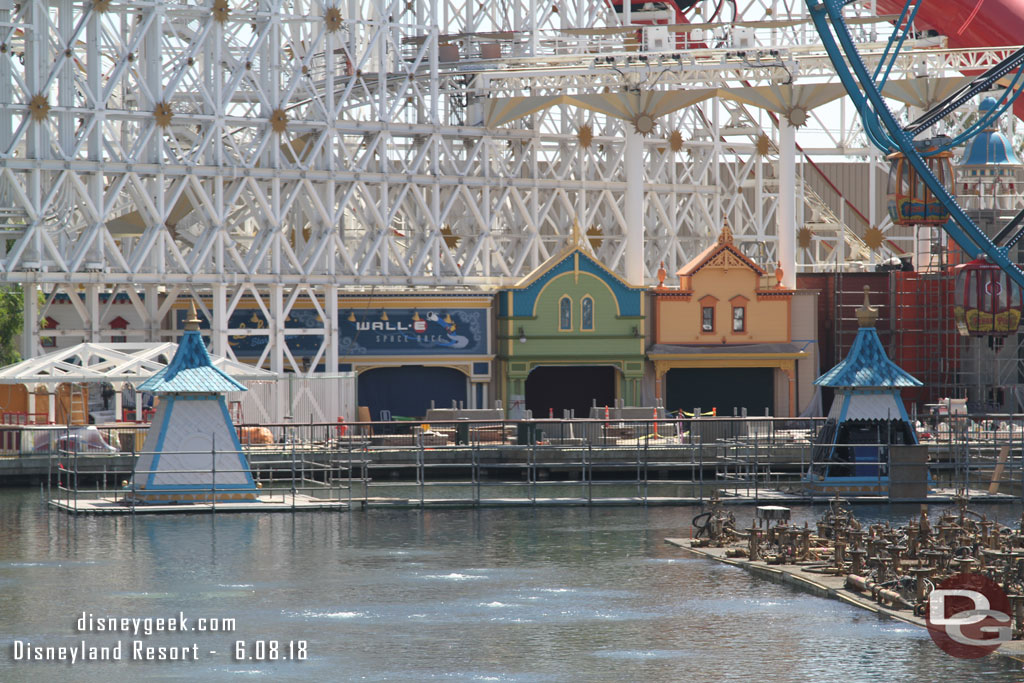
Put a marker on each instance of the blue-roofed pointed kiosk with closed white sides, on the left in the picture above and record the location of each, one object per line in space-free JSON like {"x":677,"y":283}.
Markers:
{"x":192,"y":452}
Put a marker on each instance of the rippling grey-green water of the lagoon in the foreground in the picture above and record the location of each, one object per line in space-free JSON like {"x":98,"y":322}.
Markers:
{"x":515,"y":594}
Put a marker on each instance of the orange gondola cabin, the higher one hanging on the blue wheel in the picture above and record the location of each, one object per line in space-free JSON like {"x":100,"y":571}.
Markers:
{"x":910,"y":200}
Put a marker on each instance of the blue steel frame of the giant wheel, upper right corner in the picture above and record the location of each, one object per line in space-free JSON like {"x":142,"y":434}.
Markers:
{"x":885,"y":132}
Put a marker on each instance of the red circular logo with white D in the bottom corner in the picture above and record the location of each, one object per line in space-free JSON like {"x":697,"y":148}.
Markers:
{"x":969,"y":616}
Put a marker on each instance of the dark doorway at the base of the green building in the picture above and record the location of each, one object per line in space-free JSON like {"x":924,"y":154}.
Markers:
{"x":570,"y":388}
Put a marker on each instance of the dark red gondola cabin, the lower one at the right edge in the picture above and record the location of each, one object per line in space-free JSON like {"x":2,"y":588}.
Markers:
{"x":988,"y":302}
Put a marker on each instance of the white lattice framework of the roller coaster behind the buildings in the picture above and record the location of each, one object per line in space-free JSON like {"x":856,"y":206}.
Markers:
{"x":275,"y":152}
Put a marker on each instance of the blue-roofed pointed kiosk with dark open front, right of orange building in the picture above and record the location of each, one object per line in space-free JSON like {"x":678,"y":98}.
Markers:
{"x":868,"y":416}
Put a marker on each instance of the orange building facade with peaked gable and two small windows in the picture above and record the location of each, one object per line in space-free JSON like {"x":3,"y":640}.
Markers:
{"x":732,"y":338}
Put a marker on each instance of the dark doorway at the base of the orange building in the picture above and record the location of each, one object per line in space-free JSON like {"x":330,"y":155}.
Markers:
{"x":724,"y":389}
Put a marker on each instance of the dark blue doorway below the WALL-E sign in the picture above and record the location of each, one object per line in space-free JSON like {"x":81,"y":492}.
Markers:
{"x":408,"y":391}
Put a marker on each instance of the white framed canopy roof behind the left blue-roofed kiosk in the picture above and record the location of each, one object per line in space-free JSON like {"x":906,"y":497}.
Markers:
{"x":119,"y":364}
